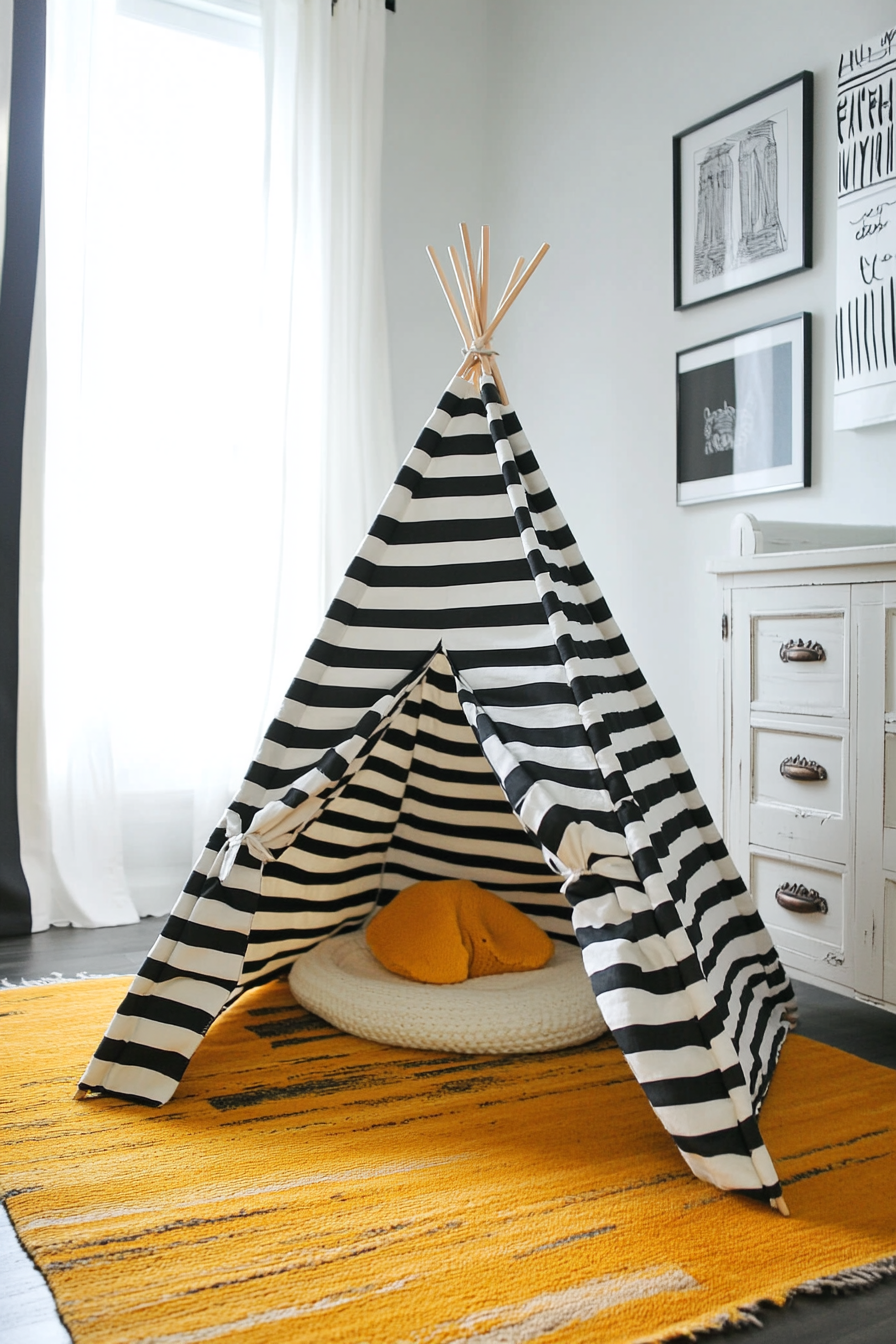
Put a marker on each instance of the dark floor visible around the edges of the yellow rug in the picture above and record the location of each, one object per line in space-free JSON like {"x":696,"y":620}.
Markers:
{"x":868,"y":1318}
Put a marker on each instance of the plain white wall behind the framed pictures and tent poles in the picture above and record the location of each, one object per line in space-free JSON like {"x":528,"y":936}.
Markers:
{"x":562,"y":131}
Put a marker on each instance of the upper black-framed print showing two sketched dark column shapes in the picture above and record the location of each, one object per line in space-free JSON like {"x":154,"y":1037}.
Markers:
{"x":742,"y":194}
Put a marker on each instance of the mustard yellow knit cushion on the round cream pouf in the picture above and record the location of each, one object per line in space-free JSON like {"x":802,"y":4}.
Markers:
{"x":441,"y":933}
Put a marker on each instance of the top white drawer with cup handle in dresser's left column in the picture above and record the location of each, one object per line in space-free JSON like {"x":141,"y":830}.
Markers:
{"x":800,"y":662}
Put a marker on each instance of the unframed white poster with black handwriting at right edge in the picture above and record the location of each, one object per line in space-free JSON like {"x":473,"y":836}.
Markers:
{"x":866,"y":315}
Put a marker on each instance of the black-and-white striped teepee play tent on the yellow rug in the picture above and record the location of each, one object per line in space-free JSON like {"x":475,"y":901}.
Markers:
{"x":471,"y":710}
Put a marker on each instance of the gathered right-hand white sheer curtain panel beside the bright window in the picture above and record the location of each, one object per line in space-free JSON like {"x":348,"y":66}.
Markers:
{"x":324,"y":95}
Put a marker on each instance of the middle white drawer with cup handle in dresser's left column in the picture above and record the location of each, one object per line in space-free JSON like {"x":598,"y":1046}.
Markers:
{"x":800,"y":794}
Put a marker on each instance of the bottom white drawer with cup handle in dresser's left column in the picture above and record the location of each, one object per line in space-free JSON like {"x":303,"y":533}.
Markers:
{"x":807,"y":941}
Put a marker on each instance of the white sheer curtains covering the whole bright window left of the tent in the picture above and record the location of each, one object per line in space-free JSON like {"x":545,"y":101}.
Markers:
{"x":214,"y":429}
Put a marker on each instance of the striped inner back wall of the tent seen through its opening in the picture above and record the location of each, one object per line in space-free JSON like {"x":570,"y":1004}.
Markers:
{"x":418,"y":803}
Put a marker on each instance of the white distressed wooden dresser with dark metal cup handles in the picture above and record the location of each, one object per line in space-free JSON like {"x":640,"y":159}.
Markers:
{"x":809,"y":725}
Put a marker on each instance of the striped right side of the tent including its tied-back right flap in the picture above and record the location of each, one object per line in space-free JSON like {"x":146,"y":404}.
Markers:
{"x":655,"y":978}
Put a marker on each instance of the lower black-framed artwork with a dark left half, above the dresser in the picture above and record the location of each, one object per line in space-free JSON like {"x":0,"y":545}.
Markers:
{"x":744,"y":424}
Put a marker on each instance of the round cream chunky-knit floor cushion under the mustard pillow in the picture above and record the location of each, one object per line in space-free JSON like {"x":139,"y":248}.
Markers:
{"x":519,"y":1013}
